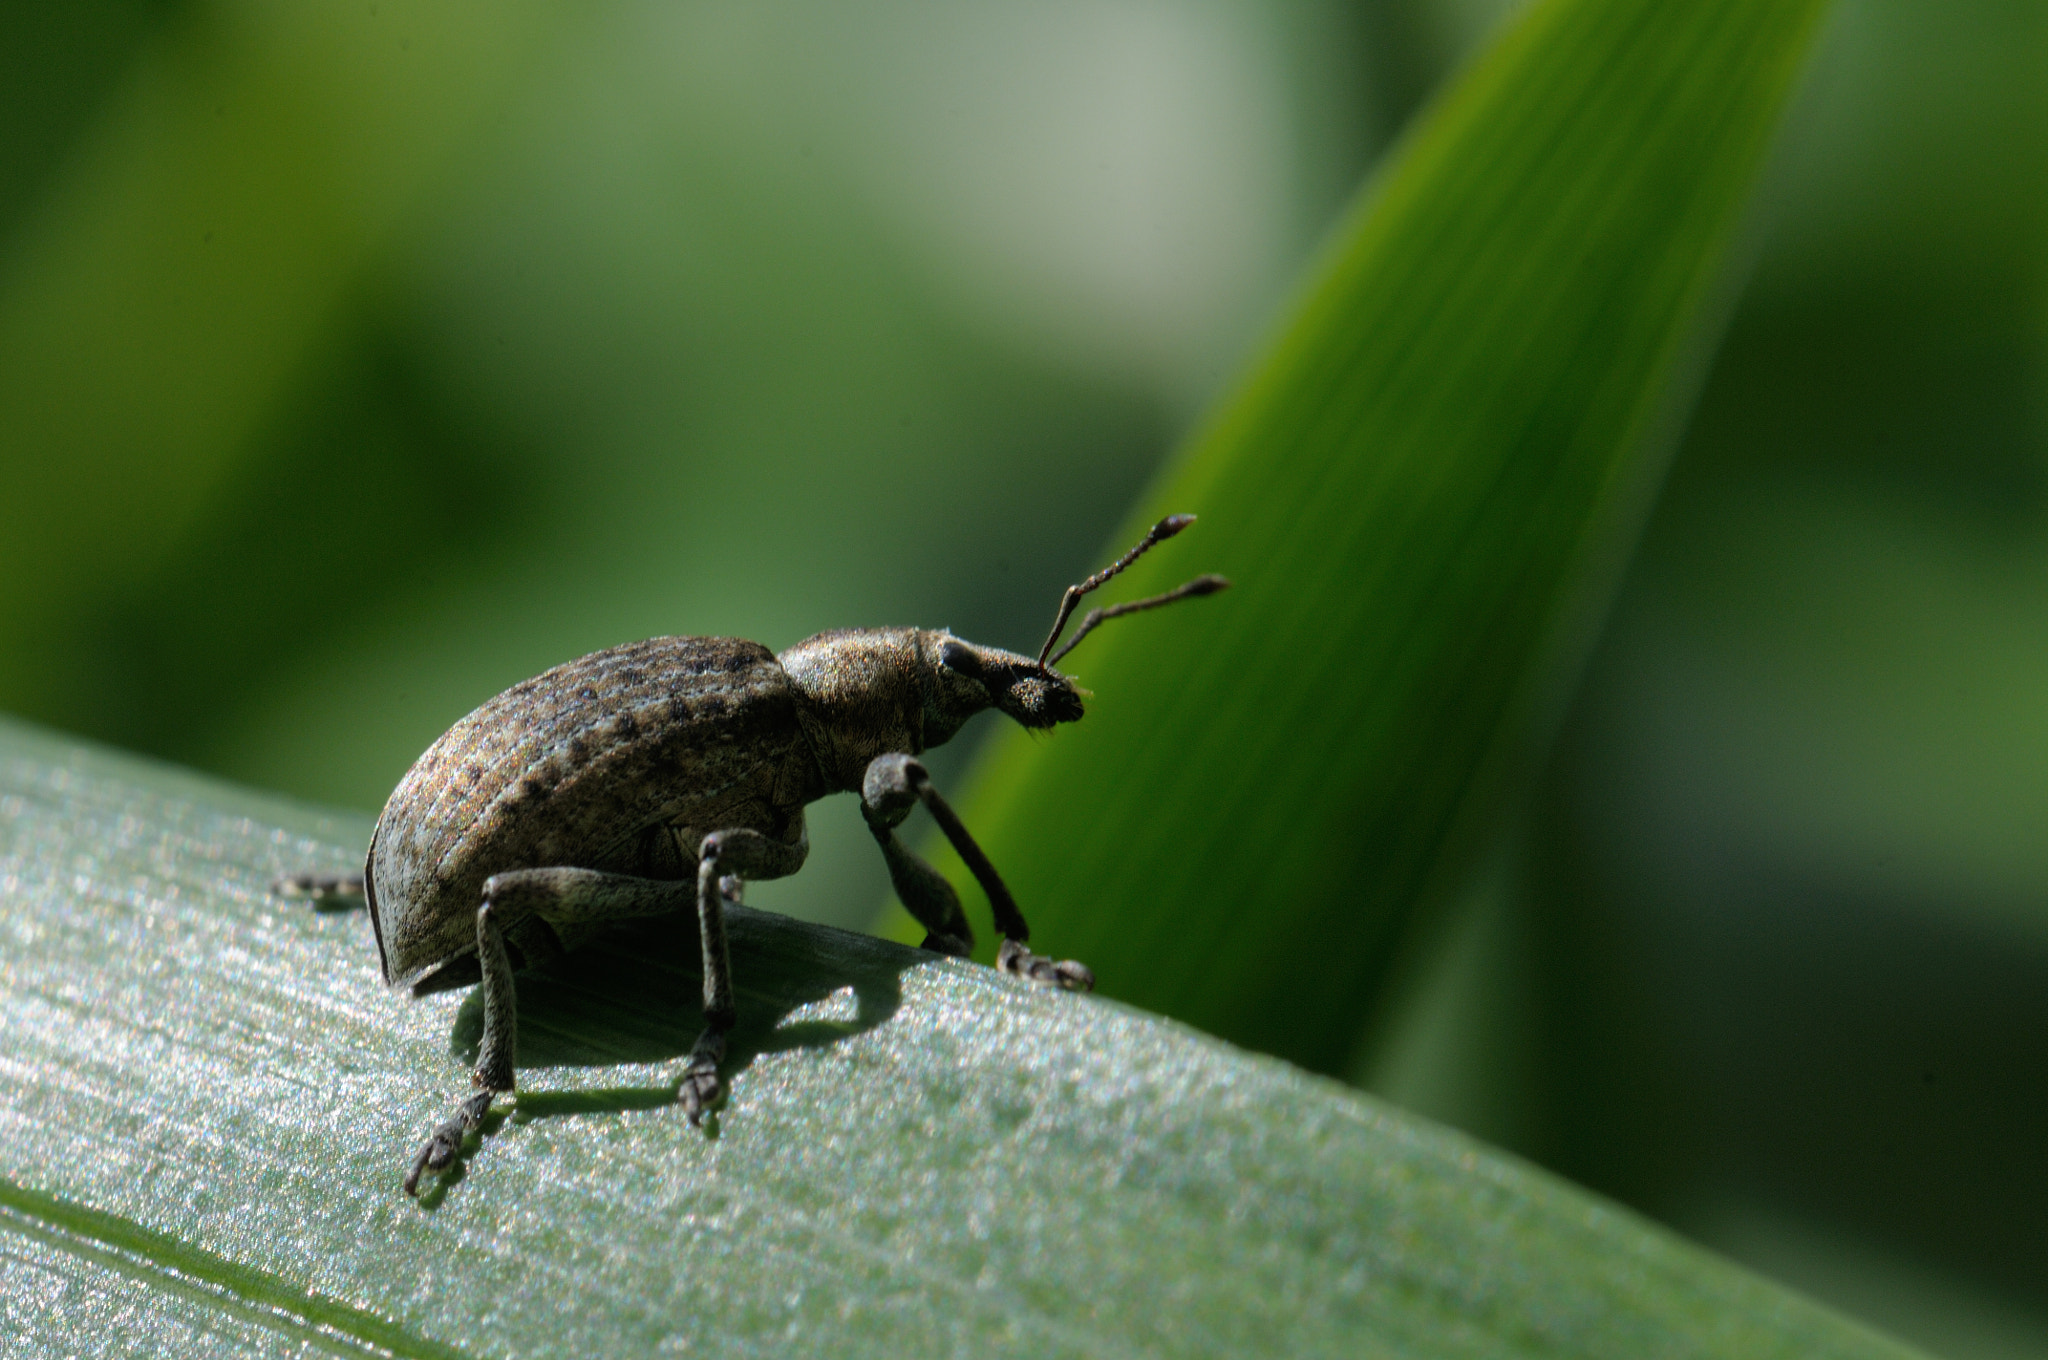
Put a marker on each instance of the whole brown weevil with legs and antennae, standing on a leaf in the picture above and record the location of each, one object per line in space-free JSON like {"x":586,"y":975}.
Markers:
{"x":660,"y":777}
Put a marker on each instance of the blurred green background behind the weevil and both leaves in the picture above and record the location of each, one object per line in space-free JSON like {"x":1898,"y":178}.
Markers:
{"x":361,"y":362}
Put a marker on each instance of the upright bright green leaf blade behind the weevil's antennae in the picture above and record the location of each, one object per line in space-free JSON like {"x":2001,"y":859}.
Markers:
{"x":1422,"y":495}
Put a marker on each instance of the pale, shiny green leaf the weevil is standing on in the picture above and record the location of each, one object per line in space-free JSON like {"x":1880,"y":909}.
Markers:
{"x":208,"y":1099}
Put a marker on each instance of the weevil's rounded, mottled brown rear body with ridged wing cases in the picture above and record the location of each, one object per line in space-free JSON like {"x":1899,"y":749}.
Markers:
{"x":617,"y":761}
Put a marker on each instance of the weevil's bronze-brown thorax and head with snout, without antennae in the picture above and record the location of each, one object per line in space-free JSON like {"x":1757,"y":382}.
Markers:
{"x":876,"y":691}
